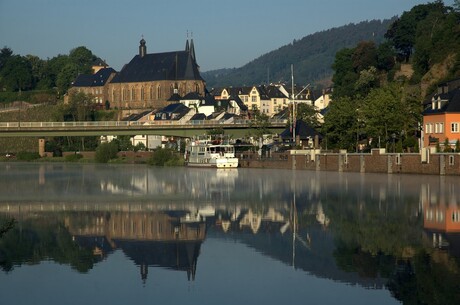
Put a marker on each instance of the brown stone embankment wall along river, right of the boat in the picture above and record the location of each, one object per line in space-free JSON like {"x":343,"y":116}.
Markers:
{"x":378,"y":161}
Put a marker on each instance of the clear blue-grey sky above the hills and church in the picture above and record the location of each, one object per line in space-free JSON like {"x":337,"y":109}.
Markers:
{"x":226,"y":33}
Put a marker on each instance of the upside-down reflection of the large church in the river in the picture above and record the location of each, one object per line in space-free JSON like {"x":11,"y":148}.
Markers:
{"x":169,"y":239}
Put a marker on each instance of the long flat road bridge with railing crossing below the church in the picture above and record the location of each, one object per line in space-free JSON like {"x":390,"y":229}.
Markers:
{"x":97,"y":128}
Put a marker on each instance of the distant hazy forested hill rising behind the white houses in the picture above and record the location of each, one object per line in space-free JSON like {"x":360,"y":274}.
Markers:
{"x":312,"y":57}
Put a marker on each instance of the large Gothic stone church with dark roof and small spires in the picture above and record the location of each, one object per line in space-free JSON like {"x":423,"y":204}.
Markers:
{"x":149,"y":80}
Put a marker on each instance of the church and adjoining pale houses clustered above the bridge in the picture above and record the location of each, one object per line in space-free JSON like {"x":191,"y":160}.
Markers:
{"x":159,"y":82}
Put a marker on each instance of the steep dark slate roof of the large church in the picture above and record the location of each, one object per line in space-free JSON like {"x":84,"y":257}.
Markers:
{"x":178,"y":65}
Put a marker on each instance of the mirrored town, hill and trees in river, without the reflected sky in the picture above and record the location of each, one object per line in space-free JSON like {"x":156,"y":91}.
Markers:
{"x":399,"y":233}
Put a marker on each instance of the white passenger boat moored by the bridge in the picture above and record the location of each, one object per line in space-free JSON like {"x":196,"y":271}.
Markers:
{"x":210,"y":151}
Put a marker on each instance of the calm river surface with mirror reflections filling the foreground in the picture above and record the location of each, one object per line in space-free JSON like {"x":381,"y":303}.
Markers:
{"x":123,"y":234}
